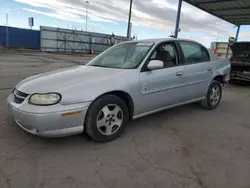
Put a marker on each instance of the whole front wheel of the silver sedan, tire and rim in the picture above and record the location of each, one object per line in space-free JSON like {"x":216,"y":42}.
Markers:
{"x":106,"y":118}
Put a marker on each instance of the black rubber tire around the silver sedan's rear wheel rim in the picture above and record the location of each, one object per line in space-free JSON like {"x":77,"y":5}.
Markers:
{"x":206,"y":103}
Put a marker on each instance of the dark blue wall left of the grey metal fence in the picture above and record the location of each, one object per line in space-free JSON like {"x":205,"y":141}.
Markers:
{"x":24,"y":38}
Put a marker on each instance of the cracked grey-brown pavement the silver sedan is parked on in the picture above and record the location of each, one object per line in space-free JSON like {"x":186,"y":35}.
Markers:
{"x":185,"y":147}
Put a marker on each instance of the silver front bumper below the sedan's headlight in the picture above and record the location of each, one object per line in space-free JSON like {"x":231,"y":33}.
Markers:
{"x":47,"y":122}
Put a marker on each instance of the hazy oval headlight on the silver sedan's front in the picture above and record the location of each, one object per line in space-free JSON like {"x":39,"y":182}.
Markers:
{"x":44,"y":99}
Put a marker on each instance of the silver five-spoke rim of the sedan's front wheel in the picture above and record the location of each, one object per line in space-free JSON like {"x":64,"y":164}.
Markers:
{"x":109,"y":119}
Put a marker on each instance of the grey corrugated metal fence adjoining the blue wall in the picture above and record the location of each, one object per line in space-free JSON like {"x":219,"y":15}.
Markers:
{"x":66,"y":40}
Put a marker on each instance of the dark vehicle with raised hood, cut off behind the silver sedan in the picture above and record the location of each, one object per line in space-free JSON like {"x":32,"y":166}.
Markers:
{"x":240,"y":61}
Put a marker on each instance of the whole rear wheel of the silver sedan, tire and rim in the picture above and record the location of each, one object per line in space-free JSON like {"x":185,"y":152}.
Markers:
{"x":213,"y":96}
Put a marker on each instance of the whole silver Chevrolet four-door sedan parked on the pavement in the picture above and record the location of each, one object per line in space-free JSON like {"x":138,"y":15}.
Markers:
{"x":128,"y":81}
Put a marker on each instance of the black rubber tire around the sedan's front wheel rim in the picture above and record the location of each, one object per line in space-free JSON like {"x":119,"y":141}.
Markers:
{"x":91,"y":117}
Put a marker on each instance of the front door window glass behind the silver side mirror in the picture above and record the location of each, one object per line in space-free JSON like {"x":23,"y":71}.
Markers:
{"x":165,"y":53}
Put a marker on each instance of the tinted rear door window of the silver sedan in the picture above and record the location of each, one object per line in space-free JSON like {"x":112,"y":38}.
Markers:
{"x":194,"y":53}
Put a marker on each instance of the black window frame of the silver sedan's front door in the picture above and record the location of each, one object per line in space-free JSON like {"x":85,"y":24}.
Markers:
{"x":179,"y":57}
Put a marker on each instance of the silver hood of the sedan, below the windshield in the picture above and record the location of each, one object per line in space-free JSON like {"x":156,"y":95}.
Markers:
{"x":56,"y":80}
